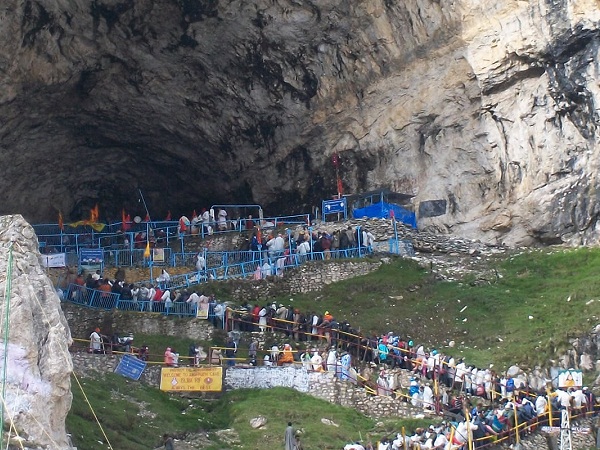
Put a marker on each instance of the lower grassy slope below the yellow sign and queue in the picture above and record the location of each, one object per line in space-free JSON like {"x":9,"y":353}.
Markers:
{"x":127,"y":429}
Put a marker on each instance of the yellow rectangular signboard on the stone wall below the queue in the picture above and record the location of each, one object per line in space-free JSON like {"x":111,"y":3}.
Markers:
{"x":191,"y":379}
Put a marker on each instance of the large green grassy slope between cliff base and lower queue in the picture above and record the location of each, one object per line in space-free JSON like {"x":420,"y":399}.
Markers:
{"x":407,"y":299}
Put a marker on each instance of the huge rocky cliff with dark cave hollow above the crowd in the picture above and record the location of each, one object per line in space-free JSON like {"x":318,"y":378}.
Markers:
{"x":486,"y":112}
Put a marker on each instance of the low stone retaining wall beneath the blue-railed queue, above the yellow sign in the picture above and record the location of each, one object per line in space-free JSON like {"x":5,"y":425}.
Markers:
{"x":83,"y":320}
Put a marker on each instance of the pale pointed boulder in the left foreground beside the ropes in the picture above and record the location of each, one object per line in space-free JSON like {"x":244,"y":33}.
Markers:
{"x":38,"y":385}
